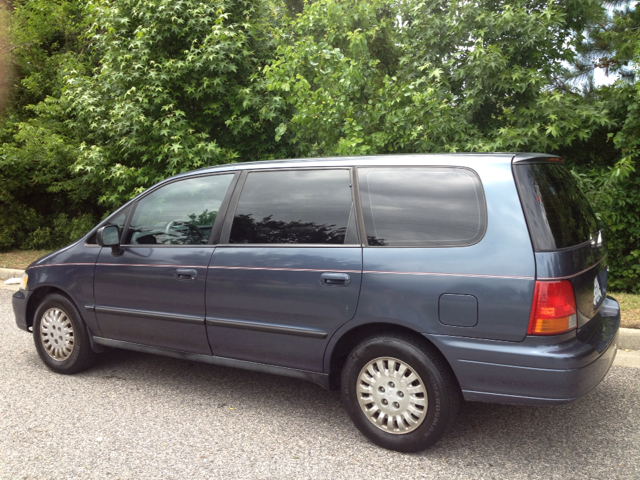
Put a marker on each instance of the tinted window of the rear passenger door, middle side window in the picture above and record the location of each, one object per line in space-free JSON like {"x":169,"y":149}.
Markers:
{"x":304,"y":206}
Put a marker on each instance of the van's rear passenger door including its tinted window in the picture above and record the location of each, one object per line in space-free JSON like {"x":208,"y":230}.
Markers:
{"x":287,"y":273}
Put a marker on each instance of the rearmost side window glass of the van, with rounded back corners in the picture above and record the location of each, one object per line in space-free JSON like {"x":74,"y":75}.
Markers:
{"x":422,"y":206}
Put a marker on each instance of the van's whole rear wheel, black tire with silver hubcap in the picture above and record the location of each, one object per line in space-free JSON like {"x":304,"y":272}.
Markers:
{"x":442,"y":392}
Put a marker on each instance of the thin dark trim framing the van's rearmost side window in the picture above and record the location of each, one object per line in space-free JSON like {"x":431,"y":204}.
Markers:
{"x":484,"y":214}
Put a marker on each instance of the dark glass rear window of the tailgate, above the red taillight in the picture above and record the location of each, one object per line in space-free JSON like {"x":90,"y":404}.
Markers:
{"x":557,"y":212}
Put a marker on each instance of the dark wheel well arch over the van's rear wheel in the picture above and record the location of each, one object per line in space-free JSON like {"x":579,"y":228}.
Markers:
{"x":353,"y":337}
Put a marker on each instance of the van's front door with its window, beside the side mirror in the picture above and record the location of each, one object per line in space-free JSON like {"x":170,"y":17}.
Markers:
{"x":153,"y":293}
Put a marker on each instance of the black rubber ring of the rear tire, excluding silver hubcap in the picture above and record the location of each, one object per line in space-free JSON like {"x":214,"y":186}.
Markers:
{"x":435,"y":422}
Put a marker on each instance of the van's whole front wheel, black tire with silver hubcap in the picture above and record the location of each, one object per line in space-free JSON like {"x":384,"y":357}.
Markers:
{"x":70,"y":353}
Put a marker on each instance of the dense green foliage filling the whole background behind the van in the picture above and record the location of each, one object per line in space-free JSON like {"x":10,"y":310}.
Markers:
{"x":111,"y":96}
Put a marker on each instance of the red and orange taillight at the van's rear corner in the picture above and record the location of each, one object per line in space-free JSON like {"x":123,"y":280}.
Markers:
{"x":554,"y":308}
